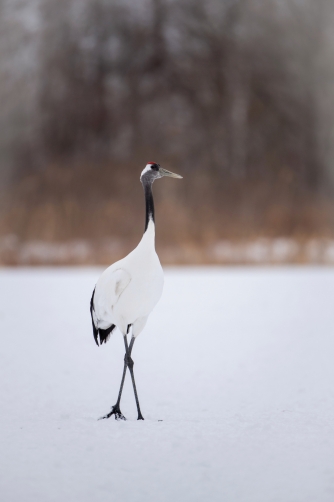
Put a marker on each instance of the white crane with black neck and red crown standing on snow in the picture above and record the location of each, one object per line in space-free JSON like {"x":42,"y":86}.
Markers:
{"x":128,"y":290}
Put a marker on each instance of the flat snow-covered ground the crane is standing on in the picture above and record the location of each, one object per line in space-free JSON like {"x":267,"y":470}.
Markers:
{"x":238,"y":363}
